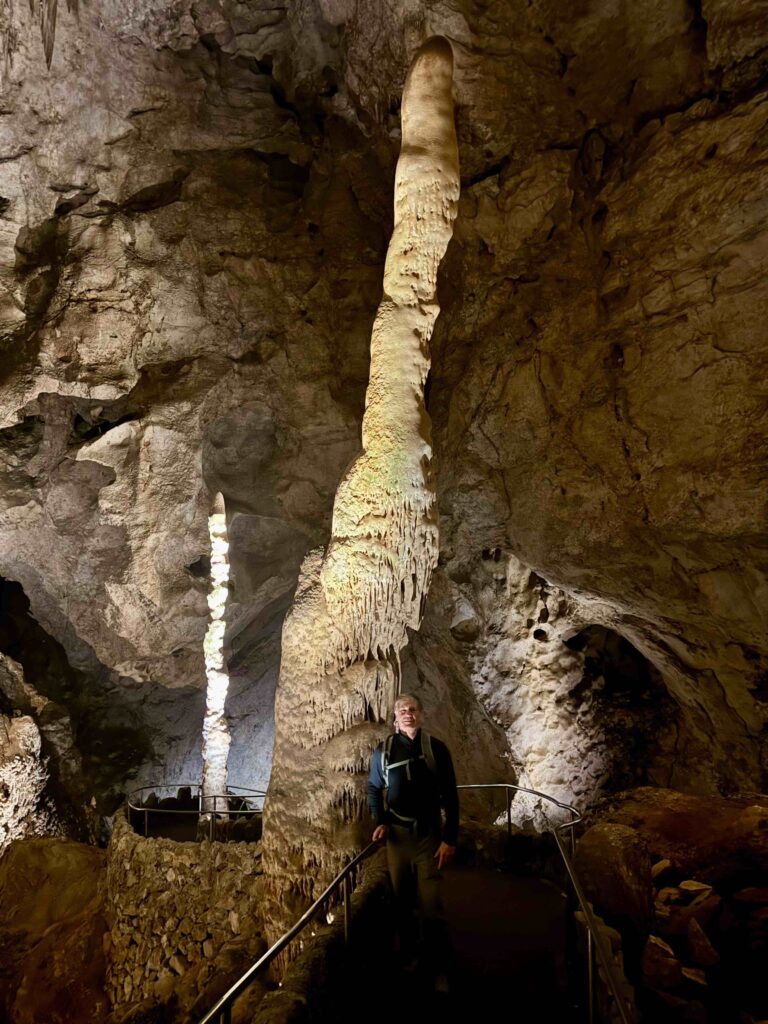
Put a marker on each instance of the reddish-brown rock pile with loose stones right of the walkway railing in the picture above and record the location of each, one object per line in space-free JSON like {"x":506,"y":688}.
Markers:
{"x":700,"y":865}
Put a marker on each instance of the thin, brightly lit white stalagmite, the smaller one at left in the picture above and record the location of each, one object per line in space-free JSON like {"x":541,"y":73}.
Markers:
{"x":216,"y":729}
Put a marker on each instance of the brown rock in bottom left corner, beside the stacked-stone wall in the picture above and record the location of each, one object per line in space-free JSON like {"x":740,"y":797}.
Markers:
{"x":52,"y":933}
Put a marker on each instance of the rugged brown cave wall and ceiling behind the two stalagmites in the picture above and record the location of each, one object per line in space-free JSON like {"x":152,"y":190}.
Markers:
{"x":195,"y":207}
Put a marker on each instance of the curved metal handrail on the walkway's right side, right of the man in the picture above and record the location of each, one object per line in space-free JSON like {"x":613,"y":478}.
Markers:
{"x":594,"y":936}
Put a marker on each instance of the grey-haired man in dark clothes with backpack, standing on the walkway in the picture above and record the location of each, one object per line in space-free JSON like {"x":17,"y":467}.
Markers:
{"x":412,"y":779}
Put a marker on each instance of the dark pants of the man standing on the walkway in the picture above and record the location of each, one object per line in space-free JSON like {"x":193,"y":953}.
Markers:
{"x":416,"y":883}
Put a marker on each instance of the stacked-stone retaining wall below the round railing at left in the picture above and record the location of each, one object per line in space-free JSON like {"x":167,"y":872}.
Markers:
{"x":179,"y":914}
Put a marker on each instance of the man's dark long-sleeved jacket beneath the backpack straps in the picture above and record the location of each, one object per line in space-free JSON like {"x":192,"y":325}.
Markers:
{"x":422,"y":795}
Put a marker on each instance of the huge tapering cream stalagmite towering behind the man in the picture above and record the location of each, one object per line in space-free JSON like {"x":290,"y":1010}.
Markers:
{"x":349,"y":622}
